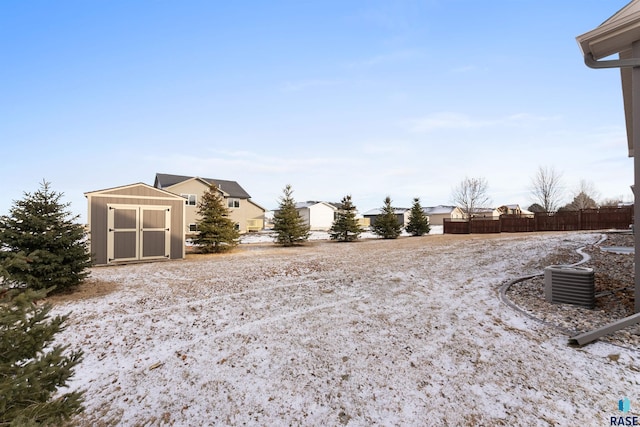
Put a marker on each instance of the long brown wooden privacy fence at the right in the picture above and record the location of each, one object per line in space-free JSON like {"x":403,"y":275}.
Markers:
{"x":587,"y":219}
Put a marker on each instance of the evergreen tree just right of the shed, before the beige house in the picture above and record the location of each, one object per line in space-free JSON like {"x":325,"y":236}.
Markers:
{"x":216,"y":231}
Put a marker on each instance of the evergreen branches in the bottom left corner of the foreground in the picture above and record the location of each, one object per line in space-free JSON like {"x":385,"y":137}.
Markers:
{"x":31,"y":370}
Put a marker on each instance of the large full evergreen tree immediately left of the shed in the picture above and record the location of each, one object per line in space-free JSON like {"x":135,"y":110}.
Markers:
{"x":40,"y":226}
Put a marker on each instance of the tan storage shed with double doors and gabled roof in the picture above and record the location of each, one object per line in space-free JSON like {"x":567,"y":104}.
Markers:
{"x":135,"y":222}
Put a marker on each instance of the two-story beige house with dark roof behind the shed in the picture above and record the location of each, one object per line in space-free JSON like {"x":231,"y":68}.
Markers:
{"x":248,"y":215}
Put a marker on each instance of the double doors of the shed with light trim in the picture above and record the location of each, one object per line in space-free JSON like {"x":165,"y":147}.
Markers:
{"x":138,"y":232}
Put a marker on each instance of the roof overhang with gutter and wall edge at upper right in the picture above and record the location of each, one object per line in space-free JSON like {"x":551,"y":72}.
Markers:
{"x":616,"y":36}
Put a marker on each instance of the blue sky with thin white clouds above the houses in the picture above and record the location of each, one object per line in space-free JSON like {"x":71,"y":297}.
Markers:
{"x":368,"y":98}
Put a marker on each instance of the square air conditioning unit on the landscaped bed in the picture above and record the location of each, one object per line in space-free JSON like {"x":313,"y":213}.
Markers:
{"x":570,"y":285}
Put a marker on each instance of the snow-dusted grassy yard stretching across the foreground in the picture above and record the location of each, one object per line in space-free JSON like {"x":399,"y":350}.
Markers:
{"x":403,"y":332}
